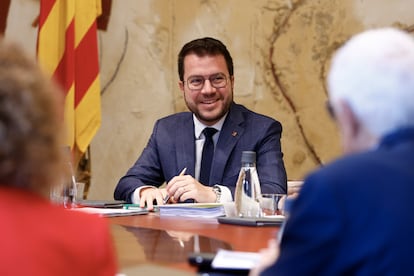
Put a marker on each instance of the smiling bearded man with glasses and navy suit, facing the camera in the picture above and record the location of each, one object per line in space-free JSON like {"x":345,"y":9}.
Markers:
{"x":205,"y":70}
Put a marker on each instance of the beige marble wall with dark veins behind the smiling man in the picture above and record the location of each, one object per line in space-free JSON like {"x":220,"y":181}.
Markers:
{"x":281,"y":51}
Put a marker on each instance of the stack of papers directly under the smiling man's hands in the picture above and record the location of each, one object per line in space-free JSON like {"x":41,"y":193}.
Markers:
{"x":204,"y":210}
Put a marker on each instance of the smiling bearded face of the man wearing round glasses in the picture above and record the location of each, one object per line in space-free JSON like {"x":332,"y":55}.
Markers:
{"x":209,"y":104}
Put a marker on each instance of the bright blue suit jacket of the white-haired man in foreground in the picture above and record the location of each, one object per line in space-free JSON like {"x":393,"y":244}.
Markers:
{"x":355,"y":216}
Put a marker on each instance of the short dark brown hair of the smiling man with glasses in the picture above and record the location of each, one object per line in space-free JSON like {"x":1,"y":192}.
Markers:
{"x":202,"y":47}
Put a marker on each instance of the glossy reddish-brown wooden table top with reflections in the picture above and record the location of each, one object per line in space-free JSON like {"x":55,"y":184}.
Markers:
{"x":167,"y":241}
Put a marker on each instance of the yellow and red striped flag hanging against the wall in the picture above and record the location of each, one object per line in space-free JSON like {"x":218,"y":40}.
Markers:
{"x":67,"y":48}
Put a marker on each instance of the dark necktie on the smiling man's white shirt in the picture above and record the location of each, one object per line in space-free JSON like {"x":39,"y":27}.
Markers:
{"x":207,"y":156}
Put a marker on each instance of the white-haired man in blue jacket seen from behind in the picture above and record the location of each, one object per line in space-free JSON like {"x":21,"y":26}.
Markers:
{"x":354,"y":216}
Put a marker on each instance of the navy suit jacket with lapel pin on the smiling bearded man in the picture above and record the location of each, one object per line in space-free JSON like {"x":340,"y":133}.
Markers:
{"x":171,"y":148}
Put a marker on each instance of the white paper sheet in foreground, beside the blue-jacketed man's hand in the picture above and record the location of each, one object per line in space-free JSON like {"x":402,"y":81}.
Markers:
{"x":226,"y":259}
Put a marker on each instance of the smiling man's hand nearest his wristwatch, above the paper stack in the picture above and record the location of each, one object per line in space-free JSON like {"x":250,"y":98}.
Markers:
{"x":184,"y":187}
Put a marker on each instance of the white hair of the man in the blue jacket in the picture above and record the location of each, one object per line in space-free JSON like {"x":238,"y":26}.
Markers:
{"x":374,"y":73}
